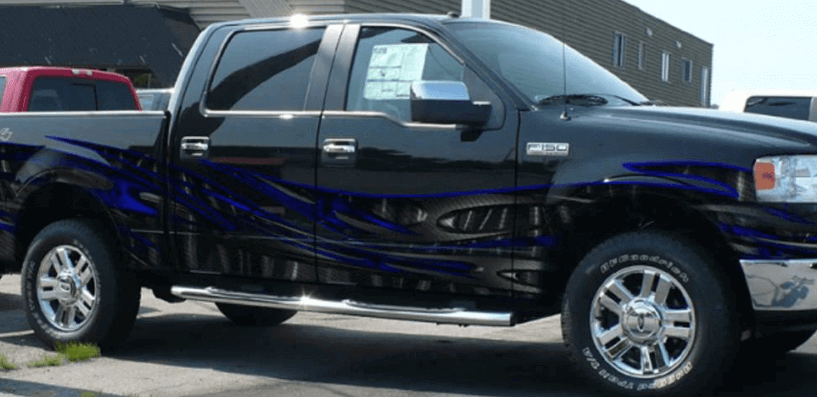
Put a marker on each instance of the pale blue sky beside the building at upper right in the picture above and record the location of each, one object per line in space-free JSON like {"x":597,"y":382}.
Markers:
{"x":757,"y":44}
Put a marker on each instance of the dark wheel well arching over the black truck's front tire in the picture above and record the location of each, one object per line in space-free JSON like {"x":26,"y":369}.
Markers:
{"x":603,"y":220}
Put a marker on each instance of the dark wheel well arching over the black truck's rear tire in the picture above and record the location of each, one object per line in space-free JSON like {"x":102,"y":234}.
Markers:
{"x":53,"y":203}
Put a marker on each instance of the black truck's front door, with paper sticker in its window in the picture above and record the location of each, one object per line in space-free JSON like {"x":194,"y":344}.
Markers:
{"x":405,"y":205}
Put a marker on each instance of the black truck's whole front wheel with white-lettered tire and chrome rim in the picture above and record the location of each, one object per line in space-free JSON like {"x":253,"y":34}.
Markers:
{"x":647,"y":313}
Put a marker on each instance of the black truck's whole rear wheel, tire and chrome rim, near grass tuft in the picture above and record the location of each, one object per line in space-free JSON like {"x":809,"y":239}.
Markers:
{"x":74,"y":287}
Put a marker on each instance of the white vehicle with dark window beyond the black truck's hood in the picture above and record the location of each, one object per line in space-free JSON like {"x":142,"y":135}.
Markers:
{"x":793,"y":104}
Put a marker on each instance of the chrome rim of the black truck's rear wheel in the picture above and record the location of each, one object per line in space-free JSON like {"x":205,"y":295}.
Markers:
{"x":67,"y":288}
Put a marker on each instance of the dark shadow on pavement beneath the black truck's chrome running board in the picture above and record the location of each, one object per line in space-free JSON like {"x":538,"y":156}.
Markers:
{"x":329,"y":355}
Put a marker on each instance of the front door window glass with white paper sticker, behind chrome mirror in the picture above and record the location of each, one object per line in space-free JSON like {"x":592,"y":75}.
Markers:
{"x":386,"y":61}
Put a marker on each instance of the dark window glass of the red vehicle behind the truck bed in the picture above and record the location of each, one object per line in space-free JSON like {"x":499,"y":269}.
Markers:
{"x":51,"y":94}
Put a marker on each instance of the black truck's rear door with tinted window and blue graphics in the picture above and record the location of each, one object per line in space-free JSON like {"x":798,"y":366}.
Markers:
{"x":244,"y":153}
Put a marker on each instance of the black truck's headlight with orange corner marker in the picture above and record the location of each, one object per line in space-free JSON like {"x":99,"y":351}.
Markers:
{"x":786,"y":179}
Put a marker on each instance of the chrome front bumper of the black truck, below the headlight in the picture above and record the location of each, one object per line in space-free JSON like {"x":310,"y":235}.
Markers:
{"x":782,"y":285}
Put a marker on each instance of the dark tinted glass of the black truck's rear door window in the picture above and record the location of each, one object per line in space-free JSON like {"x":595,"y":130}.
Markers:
{"x":266,"y":70}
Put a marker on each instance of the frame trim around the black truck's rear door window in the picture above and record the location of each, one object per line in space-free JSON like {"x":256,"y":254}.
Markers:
{"x":283,"y":114}
